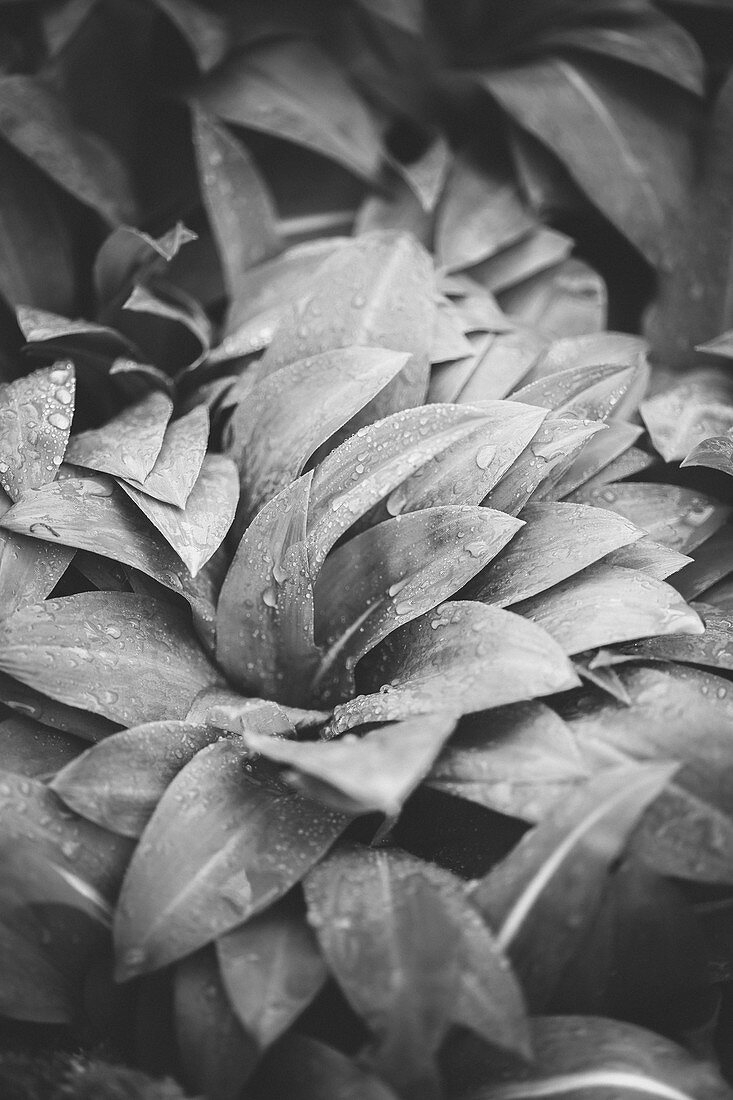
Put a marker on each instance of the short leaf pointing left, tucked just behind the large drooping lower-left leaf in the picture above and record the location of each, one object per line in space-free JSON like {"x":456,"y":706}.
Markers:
{"x":118,"y":783}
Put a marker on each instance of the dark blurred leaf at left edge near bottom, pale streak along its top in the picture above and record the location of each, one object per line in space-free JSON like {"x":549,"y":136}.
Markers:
{"x":52,"y":925}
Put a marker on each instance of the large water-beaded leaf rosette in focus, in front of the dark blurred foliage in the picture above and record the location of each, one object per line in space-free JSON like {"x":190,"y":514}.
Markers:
{"x":322,"y":719}
